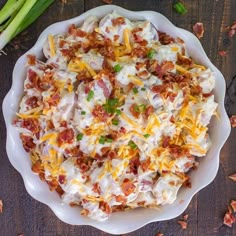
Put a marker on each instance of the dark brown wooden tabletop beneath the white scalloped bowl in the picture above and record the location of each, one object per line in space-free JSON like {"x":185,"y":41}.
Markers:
{"x":23,"y":214}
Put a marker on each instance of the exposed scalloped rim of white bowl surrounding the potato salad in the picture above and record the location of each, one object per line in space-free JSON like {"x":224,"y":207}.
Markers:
{"x":121,"y":222}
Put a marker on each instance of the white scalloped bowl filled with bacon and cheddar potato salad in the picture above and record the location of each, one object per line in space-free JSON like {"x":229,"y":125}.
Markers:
{"x":117,"y":119}
